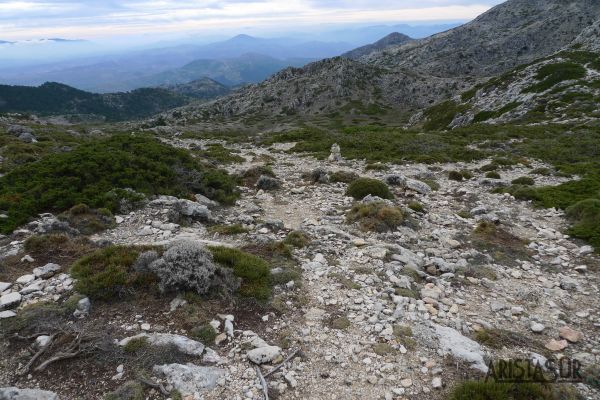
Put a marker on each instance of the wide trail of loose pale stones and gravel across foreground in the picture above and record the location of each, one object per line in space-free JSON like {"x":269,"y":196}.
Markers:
{"x":396,"y":315}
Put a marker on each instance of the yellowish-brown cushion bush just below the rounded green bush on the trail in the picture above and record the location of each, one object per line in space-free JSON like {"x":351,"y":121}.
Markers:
{"x":376,"y":216}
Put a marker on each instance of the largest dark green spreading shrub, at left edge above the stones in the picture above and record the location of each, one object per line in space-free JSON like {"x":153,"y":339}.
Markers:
{"x":96,"y":173}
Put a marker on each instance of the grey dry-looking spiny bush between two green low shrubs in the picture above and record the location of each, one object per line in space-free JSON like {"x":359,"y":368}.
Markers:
{"x":187,"y":265}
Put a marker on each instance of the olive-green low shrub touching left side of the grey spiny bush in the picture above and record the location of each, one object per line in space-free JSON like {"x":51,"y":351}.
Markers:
{"x":108,"y":273}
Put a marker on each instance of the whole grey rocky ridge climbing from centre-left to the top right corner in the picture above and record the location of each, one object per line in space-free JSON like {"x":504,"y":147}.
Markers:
{"x":411,"y":76}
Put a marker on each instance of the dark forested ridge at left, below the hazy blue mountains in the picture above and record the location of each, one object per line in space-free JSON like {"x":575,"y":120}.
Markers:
{"x":58,"y":99}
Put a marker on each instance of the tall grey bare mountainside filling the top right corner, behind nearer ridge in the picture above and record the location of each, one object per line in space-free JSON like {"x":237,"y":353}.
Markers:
{"x":513,"y":33}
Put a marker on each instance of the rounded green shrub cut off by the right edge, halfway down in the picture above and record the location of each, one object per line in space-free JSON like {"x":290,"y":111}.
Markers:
{"x":586,"y":221}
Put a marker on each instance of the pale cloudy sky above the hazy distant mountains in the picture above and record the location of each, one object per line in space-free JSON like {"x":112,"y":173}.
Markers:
{"x":89,"y":19}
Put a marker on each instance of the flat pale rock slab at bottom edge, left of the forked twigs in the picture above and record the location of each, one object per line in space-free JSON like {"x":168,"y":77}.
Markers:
{"x":190,"y":379}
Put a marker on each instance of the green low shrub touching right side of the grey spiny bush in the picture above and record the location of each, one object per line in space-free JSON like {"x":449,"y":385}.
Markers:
{"x":254,"y":271}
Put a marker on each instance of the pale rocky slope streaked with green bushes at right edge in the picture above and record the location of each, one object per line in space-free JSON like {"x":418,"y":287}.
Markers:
{"x":563,"y":88}
